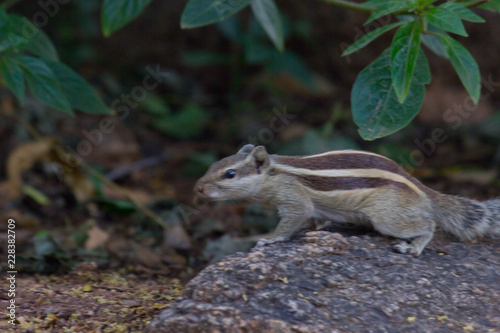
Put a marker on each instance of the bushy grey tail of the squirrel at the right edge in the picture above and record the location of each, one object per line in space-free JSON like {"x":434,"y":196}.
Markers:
{"x":467,"y":218}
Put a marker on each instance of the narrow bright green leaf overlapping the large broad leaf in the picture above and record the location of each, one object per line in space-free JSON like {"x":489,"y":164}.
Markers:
{"x":404,"y":51}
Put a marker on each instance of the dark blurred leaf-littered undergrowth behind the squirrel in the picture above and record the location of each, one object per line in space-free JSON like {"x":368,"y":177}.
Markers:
{"x":213,"y":100}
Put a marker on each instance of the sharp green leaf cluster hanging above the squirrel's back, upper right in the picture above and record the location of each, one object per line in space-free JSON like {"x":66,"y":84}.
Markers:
{"x":394,"y":84}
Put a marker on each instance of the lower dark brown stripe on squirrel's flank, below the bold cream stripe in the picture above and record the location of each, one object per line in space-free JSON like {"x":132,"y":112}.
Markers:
{"x":321,"y":183}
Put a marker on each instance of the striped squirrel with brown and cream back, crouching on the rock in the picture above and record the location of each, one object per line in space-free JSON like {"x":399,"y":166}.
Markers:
{"x":346,"y":185}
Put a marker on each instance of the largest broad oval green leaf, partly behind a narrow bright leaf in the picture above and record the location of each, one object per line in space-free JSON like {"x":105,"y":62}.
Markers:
{"x":375,"y":106}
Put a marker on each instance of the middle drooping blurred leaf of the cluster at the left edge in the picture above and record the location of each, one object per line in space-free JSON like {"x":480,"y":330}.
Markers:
{"x":44,"y":84}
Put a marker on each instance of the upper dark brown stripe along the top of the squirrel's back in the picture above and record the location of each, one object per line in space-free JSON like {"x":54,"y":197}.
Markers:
{"x":348,"y":161}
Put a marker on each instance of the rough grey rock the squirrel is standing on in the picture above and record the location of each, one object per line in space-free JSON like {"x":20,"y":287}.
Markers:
{"x":325,"y":282}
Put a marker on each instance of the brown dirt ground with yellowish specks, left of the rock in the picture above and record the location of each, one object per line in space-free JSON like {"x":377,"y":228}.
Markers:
{"x":88,"y":300}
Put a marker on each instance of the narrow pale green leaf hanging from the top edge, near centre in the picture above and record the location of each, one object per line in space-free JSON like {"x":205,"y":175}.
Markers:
{"x":268,"y":16}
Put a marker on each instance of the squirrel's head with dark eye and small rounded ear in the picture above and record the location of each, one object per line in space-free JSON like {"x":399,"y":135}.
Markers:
{"x":236,"y":176}
